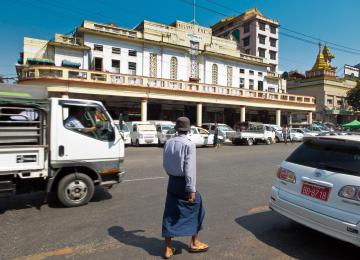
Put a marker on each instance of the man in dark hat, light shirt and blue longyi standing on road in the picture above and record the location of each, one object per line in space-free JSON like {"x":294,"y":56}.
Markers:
{"x":184,"y":212}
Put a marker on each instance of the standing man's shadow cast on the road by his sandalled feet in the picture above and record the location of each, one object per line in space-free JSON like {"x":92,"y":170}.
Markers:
{"x":151,"y":245}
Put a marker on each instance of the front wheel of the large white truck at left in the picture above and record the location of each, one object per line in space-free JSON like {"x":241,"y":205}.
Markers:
{"x":75,"y":190}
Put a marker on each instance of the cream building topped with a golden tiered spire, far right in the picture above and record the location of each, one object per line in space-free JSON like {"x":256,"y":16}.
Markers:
{"x":330,"y":92}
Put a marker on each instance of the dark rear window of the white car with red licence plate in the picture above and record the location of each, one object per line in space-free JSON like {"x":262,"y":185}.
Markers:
{"x":333,"y":156}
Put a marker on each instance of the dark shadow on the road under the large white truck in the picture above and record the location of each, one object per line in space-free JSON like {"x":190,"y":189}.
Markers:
{"x":38,"y":199}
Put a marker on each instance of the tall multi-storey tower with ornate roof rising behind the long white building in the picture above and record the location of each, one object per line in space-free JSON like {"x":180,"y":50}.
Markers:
{"x":255,"y":34}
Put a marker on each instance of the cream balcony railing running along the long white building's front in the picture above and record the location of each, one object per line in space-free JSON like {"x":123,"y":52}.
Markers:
{"x":62,"y":73}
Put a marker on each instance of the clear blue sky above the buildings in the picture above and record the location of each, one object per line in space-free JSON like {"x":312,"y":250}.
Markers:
{"x":332,"y":21}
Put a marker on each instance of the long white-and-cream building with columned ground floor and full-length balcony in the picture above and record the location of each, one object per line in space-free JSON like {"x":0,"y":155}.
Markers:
{"x":158,"y":71}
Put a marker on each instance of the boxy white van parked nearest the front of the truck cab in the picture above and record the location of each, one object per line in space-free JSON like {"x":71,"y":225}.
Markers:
{"x":142,"y":133}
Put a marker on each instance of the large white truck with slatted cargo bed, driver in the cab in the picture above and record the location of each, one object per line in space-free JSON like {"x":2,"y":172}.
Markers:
{"x":61,"y":145}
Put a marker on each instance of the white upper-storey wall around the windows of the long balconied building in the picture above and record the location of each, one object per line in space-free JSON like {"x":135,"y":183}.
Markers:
{"x":164,"y":55}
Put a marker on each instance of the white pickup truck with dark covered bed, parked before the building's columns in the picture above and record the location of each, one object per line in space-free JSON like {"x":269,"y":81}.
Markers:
{"x":254,"y":134}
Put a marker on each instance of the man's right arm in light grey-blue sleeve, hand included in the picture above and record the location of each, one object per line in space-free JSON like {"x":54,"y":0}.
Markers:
{"x":190,"y":170}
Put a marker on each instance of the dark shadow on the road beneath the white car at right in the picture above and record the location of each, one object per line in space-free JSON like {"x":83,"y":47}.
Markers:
{"x":294,"y":239}
